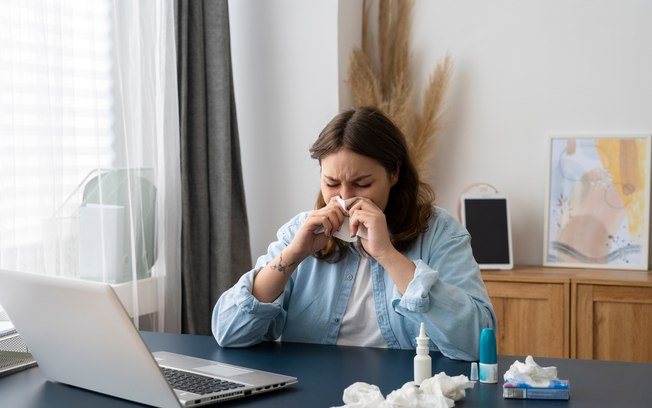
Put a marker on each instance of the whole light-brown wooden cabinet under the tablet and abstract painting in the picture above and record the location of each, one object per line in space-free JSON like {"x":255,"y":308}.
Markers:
{"x":577,"y":313}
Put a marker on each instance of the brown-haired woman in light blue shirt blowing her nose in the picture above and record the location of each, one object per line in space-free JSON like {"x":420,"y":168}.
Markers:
{"x":410,"y":262}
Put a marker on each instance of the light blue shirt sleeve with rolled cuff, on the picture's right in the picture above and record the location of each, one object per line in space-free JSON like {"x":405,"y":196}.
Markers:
{"x":447,"y":292}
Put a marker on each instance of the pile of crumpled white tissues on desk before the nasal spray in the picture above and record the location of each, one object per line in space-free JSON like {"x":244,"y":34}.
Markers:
{"x":440,"y":391}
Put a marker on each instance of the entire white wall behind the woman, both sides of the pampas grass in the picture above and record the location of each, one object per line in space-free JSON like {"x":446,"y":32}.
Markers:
{"x":522,"y":71}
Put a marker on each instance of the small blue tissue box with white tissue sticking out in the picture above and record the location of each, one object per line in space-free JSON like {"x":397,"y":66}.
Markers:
{"x":530,"y":381}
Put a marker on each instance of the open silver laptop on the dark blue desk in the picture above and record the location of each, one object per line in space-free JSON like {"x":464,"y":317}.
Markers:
{"x":81,"y":335}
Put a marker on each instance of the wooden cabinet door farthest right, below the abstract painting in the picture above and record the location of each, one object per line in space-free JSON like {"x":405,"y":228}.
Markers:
{"x":613,"y":323}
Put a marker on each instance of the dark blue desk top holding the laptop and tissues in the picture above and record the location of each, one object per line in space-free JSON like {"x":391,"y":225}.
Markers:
{"x":325,"y":371}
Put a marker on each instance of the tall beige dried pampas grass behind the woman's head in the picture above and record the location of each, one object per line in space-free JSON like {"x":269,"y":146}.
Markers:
{"x":389,"y":88}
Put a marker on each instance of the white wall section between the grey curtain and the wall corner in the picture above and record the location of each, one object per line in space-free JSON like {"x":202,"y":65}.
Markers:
{"x":285,"y":67}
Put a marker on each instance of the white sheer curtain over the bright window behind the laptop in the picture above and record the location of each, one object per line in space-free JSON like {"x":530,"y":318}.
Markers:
{"x":89,"y":148}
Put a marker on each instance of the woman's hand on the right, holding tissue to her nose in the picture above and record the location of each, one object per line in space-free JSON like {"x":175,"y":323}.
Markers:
{"x":365,"y":215}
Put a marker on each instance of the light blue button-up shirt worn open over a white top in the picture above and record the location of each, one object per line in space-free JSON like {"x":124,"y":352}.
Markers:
{"x":447,"y":294}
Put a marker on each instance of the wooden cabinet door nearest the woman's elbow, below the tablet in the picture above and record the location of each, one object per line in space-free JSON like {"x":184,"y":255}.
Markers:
{"x":533,"y":318}
